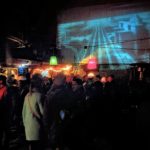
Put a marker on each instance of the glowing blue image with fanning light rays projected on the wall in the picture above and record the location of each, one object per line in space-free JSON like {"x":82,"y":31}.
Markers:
{"x":113,"y":40}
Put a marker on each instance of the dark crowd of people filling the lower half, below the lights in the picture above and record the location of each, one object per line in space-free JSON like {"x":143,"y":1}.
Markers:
{"x":80,"y":113}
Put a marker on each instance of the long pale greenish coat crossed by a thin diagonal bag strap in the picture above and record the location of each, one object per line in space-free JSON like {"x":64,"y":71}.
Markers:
{"x":32,"y":116}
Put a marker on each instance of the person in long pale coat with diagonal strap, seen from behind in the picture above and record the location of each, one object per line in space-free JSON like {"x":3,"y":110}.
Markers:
{"x":32,"y":114}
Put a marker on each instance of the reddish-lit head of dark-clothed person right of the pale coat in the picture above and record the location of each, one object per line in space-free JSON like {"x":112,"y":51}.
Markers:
{"x":60,"y":79}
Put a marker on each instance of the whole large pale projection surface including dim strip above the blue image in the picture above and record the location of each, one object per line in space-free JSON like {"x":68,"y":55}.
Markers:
{"x":115,"y":34}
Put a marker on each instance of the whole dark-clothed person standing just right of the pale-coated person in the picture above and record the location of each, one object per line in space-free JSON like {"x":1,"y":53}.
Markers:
{"x":56,"y":110}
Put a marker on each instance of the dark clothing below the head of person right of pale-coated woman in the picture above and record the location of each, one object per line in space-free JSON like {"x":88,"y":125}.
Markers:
{"x":58,"y":99}
